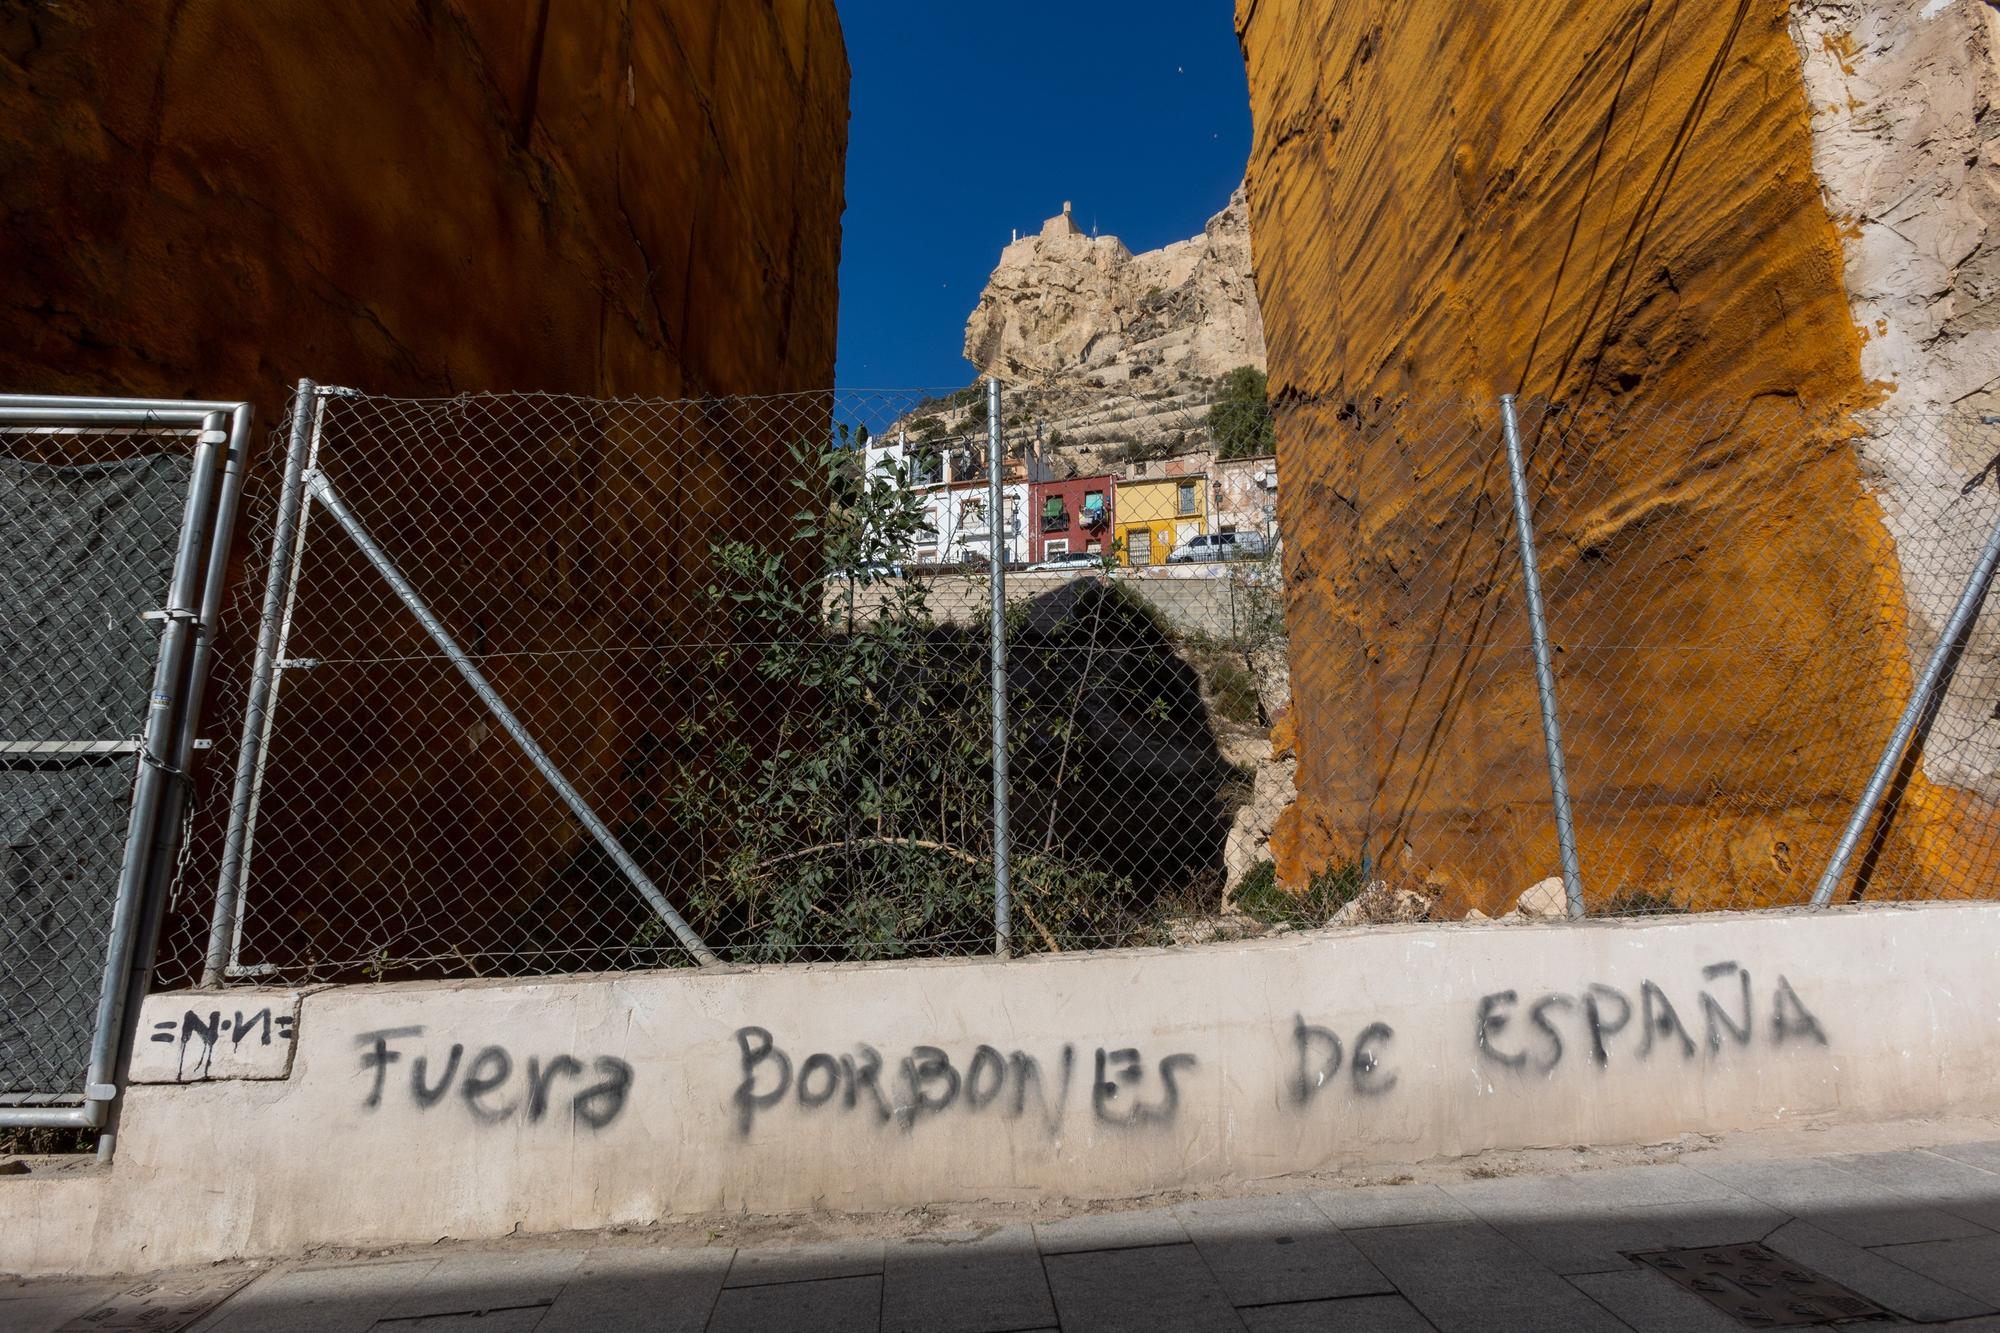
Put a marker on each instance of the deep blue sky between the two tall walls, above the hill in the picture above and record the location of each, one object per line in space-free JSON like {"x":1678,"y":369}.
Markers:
{"x":975,"y":119}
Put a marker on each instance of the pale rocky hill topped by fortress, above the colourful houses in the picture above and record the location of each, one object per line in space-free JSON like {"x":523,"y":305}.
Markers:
{"x":1119,"y":355}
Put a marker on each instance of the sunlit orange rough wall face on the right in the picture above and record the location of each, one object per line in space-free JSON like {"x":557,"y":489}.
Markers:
{"x":1611,"y":207}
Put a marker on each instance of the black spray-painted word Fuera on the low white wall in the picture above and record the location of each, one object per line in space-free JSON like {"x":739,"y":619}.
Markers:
{"x":493,"y":1086}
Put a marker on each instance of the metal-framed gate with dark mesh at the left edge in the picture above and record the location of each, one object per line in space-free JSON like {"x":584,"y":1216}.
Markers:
{"x":115,"y":527}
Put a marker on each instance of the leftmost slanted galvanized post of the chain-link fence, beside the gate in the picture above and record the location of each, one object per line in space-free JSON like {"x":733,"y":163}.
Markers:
{"x":263,"y":686}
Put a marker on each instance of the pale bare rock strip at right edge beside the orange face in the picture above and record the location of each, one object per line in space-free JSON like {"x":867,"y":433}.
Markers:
{"x":1907,"y":147}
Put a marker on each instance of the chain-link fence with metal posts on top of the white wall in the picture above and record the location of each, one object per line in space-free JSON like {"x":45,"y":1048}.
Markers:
{"x":573,"y":686}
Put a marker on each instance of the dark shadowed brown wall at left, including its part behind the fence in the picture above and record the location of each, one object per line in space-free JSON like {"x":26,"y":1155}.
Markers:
{"x":215,"y":199}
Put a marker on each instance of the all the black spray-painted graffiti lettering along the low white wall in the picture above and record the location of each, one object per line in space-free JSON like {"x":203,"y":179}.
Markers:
{"x":1119,"y":1088}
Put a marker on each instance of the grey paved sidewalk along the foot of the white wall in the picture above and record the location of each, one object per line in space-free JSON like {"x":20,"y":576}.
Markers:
{"x":1913,"y":1232}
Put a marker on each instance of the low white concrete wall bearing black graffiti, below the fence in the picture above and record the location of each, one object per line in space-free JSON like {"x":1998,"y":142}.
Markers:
{"x":421,"y":1112}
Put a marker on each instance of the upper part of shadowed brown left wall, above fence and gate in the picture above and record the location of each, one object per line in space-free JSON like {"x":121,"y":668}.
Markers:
{"x":219,"y":197}
